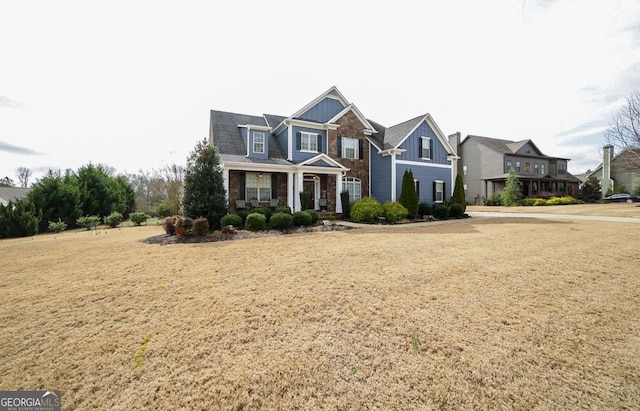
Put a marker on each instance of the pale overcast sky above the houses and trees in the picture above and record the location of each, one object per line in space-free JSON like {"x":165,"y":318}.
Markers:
{"x":130,"y":84}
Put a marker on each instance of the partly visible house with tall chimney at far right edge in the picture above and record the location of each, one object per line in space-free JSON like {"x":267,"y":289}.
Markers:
{"x":622,"y":170}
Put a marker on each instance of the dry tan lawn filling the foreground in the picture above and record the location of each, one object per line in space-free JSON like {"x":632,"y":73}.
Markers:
{"x":475,"y":314}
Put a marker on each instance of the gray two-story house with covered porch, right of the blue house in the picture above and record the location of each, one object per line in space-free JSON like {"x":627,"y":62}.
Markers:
{"x":486,"y":163}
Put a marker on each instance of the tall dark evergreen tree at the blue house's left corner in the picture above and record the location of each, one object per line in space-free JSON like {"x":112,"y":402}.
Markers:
{"x":204,"y":193}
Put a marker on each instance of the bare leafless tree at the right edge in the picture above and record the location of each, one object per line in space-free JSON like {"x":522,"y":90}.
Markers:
{"x":624,"y":132}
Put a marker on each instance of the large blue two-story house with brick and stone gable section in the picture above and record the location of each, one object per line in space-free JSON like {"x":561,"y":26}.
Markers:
{"x":326,"y":147}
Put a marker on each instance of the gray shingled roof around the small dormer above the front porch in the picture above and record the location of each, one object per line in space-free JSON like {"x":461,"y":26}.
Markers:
{"x":225,"y":133}
